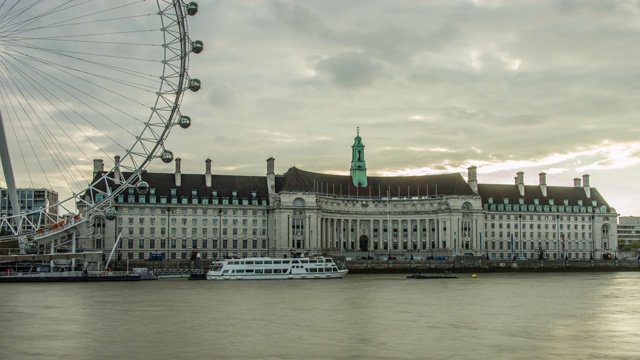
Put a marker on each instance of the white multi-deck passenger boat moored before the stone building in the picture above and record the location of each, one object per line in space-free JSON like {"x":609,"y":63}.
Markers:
{"x":264,"y":268}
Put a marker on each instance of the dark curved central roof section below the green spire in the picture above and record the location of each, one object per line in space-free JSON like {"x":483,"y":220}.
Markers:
{"x":401,"y":186}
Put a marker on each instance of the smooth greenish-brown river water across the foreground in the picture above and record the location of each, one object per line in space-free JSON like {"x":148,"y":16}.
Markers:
{"x":495,"y":316}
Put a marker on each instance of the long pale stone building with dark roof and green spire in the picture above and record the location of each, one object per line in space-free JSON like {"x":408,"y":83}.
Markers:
{"x":357,"y":214}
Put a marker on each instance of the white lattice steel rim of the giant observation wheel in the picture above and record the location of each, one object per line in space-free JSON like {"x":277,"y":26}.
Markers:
{"x":100,"y":192}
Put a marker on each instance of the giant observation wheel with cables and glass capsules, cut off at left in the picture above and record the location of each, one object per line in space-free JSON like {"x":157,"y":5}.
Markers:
{"x":84,"y":80}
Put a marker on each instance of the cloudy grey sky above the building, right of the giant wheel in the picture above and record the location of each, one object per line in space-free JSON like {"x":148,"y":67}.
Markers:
{"x":434,"y":86}
